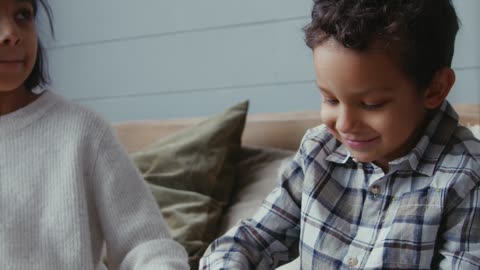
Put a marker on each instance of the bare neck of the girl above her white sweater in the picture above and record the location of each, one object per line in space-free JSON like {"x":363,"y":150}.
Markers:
{"x":13,"y":100}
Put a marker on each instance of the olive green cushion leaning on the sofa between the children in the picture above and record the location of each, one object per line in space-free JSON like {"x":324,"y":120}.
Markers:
{"x":191,"y":174}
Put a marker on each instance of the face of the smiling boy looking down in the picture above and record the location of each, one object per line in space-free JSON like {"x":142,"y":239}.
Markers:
{"x":368,"y":103}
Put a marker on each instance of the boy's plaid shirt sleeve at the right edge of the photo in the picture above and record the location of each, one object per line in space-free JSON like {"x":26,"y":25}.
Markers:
{"x":461,"y":236}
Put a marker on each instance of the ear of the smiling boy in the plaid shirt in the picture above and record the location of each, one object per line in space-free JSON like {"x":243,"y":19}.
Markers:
{"x":439,"y":88}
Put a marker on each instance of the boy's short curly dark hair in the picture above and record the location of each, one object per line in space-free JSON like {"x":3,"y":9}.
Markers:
{"x":423,"y":30}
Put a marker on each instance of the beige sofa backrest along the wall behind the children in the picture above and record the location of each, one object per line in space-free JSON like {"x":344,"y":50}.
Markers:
{"x":278,"y":130}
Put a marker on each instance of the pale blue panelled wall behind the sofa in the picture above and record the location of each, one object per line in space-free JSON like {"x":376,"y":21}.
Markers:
{"x":162,"y":59}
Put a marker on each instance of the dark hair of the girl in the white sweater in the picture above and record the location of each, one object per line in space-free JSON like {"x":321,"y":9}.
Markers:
{"x":39,"y":75}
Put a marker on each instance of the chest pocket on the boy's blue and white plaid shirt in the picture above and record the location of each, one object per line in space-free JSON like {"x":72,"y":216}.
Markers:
{"x":410,"y":229}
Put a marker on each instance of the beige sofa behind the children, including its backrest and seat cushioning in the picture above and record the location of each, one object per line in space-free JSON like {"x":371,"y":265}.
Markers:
{"x":268,"y":140}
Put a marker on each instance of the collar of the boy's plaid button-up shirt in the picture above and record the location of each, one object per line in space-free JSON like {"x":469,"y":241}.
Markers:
{"x":424,"y":156}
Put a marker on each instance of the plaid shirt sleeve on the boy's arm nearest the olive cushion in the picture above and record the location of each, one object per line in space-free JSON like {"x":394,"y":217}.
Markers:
{"x":271,"y":237}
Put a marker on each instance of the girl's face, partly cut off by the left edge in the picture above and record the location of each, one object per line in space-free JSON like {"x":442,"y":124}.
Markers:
{"x":18,"y":43}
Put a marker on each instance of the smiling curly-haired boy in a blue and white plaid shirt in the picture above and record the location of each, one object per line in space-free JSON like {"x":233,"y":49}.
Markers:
{"x":390,"y":181}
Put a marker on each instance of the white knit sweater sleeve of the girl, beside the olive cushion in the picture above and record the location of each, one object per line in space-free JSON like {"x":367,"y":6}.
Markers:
{"x":135,"y":232}
